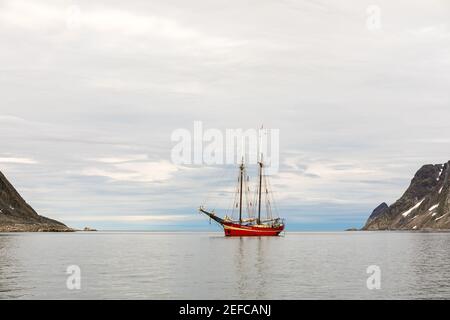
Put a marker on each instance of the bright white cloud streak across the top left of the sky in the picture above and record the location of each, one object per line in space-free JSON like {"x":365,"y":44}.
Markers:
{"x":102,"y":19}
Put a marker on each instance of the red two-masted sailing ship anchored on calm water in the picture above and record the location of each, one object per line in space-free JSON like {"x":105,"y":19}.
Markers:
{"x":253,"y":224}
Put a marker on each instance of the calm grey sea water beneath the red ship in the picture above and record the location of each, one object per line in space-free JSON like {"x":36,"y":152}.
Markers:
{"x":137,"y":265}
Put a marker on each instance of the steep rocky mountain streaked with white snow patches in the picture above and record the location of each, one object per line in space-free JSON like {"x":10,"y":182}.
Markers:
{"x":425,"y":205}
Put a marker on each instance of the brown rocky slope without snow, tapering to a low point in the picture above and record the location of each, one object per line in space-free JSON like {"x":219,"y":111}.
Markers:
{"x":17,"y":215}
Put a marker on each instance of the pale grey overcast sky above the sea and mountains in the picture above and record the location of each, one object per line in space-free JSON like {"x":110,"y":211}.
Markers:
{"x":91,"y":91}
